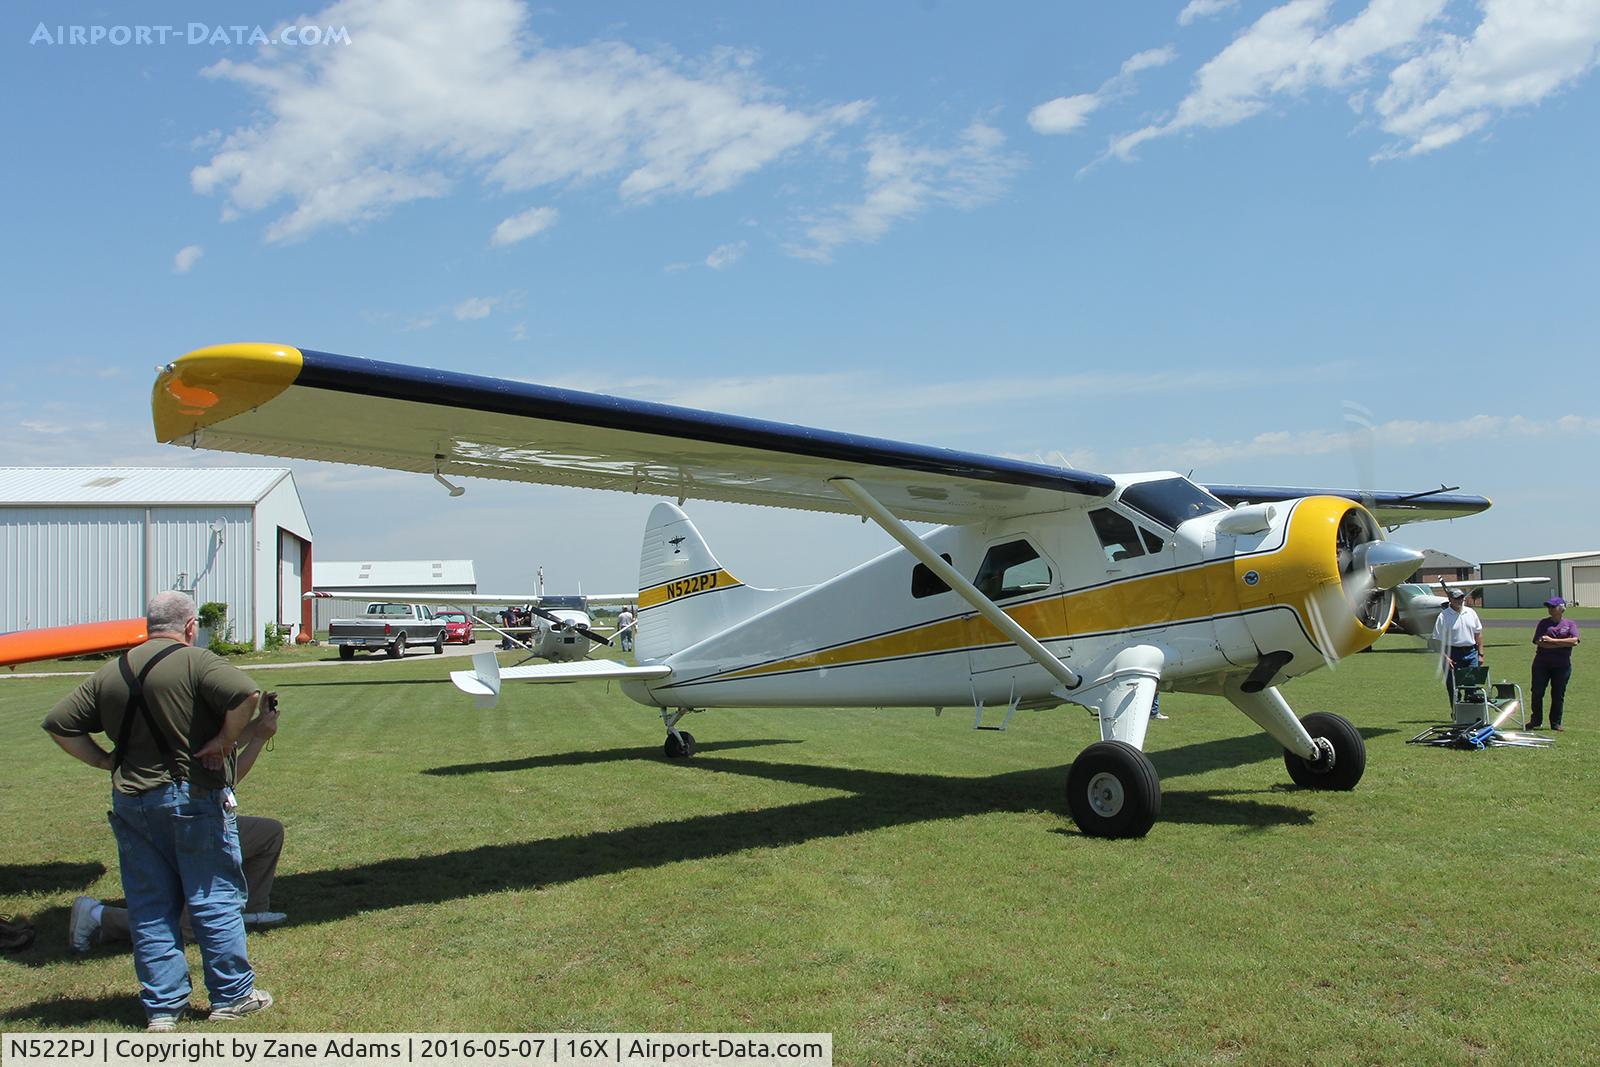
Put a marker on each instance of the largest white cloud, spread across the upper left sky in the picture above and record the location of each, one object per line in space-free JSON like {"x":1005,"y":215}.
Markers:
{"x":434,"y":94}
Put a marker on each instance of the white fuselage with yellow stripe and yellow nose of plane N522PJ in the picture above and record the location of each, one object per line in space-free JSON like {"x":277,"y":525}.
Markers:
{"x":1159,"y":564}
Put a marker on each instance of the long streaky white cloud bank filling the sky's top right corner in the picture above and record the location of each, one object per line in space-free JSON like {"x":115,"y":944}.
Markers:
{"x":1441,"y":87}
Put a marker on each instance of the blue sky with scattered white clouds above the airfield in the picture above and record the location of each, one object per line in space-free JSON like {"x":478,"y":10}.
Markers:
{"x":1129,"y":238}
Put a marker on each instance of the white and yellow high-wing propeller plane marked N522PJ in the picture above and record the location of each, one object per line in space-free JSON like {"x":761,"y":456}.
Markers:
{"x":1044,"y":585}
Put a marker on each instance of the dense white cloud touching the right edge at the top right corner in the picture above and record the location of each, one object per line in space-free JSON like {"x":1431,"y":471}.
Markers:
{"x":1521,"y":54}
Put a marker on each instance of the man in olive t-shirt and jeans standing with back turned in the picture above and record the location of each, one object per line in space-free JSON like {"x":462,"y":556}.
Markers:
{"x":172,"y":810}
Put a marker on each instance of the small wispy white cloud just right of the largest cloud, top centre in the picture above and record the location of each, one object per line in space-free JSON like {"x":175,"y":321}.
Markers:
{"x":905,"y":180}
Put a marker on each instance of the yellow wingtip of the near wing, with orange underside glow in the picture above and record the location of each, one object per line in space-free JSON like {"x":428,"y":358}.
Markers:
{"x":209,"y":386}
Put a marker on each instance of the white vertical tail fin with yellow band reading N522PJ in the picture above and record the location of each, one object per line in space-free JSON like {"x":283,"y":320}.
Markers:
{"x":684,"y":593}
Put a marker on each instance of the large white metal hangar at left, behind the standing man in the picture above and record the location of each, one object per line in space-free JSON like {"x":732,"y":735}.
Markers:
{"x":89,"y":545}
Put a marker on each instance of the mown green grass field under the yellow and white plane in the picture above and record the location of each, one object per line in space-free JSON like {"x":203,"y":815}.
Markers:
{"x":895,"y":879}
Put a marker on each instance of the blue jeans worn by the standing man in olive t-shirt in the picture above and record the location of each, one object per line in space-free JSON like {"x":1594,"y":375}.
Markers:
{"x":182,"y":850}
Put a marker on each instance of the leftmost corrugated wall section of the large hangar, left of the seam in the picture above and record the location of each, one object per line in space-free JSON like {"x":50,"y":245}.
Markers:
{"x":66,"y":565}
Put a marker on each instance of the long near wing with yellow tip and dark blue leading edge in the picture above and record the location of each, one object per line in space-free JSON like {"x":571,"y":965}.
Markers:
{"x":279,"y":401}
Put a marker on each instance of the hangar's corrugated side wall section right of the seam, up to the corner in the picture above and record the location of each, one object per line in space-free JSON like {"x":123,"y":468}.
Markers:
{"x":210,"y":551}
